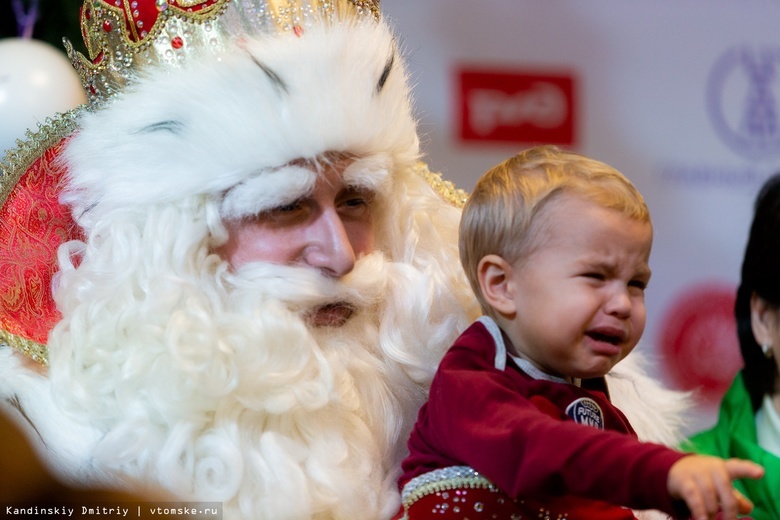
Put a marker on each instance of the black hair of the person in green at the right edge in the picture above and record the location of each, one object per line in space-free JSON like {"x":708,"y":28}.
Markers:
{"x":760,"y":276}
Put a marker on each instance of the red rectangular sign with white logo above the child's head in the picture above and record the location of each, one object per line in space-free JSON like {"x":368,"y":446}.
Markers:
{"x":516,"y":107}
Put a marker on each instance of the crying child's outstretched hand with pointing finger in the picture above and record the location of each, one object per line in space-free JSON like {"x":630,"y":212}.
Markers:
{"x":704,"y":483}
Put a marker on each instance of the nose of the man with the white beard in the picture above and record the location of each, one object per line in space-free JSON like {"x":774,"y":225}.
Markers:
{"x":329,"y":246}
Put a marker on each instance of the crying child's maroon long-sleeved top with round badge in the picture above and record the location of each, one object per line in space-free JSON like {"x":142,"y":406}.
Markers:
{"x":487,"y":413}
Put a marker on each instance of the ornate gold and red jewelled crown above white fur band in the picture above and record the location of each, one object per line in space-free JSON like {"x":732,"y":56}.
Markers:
{"x":124,"y":36}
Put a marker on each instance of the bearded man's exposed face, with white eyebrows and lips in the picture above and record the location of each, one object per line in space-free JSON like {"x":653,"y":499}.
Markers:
{"x":321,"y":219}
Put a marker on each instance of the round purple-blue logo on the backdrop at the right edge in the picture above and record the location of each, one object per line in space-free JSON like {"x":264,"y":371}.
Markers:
{"x":742,"y":100}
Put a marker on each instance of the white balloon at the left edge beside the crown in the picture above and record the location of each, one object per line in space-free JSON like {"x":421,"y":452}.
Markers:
{"x":36,"y":81}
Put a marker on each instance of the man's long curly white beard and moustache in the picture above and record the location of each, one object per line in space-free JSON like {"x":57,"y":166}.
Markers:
{"x":211,"y":384}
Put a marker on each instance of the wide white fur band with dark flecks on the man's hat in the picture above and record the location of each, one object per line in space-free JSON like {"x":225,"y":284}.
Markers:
{"x":158,"y":140}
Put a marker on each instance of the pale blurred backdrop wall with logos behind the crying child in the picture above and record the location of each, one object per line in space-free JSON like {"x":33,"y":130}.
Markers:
{"x":682,"y":97}
